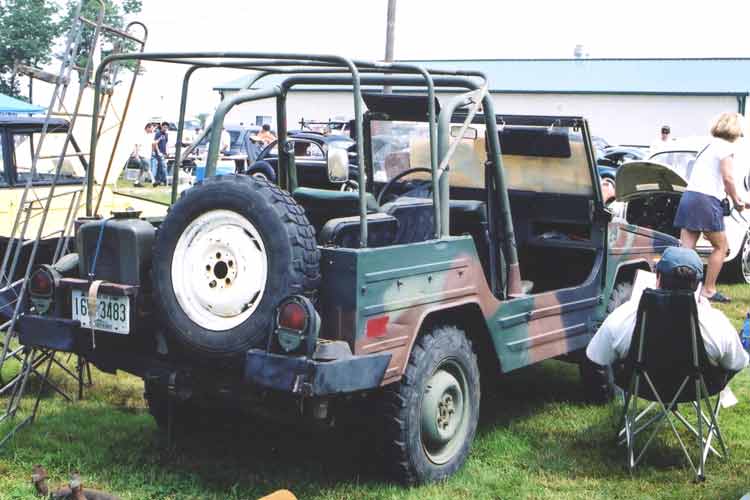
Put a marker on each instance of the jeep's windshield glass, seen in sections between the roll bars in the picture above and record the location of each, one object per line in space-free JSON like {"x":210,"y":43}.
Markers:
{"x":535,"y":159}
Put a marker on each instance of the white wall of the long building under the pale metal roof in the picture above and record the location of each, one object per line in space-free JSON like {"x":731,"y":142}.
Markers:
{"x":620,"y":119}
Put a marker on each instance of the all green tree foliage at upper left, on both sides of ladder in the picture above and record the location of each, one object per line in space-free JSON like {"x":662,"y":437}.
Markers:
{"x":29,"y":30}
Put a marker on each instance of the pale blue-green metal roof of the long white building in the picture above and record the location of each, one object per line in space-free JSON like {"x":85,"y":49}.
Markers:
{"x":714,"y":76}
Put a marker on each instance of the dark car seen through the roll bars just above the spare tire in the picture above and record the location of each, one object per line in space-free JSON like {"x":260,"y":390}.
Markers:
{"x":310,"y":153}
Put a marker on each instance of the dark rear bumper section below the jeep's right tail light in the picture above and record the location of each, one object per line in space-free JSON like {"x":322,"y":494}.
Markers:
{"x":304,"y":376}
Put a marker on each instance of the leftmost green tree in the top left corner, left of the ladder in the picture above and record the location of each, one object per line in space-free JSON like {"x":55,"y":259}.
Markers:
{"x":28,"y":30}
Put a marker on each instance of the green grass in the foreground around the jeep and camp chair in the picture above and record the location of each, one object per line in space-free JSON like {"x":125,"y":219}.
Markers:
{"x":536,"y":439}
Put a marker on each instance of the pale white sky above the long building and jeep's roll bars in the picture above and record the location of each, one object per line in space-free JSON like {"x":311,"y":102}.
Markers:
{"x":431,"y":29}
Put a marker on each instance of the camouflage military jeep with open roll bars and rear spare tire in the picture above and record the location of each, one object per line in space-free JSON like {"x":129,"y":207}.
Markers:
{"x":248,"y":294}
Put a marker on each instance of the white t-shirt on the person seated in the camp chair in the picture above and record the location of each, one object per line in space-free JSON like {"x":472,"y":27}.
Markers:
{"x":723,"y":345}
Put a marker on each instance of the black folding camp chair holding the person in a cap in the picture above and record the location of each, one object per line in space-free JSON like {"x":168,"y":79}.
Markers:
{"x":667,"y":365}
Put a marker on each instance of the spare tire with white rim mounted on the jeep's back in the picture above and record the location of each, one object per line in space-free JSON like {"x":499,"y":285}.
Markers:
{"x":227,"y":253}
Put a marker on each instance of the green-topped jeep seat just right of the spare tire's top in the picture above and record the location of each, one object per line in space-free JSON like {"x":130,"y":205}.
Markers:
{"x":322,"y":205}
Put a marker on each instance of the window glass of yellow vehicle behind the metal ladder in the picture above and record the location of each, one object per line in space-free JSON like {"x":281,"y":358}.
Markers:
{"x":24,"y":148}
